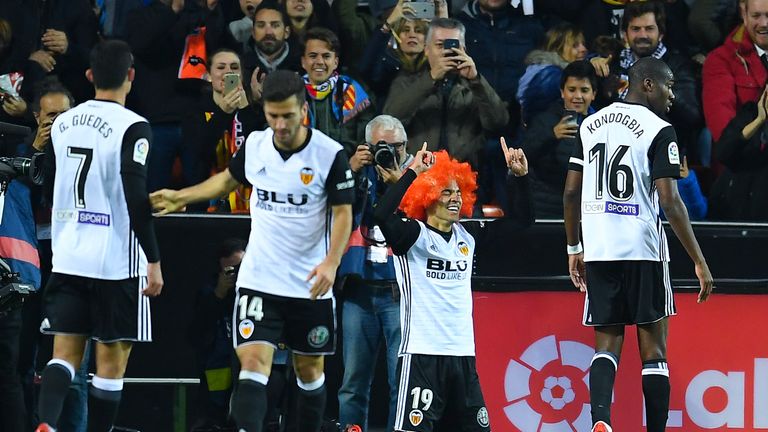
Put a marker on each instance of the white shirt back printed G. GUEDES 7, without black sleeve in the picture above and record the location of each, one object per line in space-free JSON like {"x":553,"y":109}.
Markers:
{"x":91,"y":233}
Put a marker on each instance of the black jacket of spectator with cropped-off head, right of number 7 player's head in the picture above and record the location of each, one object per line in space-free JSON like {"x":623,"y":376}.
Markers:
{"x":157,"y":37}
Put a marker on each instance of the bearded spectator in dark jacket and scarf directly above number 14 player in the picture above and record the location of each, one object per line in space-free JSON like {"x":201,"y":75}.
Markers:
{"x":268,"y":49}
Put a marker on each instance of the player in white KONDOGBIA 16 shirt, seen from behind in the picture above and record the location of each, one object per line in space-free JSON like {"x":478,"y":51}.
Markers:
{"x":623,"y":169}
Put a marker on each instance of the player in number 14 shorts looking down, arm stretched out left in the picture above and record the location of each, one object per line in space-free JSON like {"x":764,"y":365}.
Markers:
{"x":300,"y":177}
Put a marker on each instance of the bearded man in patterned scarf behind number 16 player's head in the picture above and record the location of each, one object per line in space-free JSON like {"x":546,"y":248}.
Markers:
{"x":644,"y":26}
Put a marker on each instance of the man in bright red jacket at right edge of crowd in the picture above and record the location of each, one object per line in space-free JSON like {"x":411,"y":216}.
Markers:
{"x":734,"y":73}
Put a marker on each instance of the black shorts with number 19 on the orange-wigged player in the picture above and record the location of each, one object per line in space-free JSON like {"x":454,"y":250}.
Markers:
{"x":439,"y":389}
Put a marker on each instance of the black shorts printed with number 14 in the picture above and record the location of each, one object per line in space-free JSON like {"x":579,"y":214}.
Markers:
{"x":306,"y":326}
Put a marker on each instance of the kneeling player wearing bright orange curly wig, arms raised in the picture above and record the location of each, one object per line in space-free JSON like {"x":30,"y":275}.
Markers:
{"x":438,"y":377}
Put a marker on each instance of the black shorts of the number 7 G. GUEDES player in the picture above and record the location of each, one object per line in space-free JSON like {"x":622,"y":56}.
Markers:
{"x":105,"y":310}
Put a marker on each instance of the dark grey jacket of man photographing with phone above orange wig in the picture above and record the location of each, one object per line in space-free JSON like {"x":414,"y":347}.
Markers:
{"x":463,"y":117}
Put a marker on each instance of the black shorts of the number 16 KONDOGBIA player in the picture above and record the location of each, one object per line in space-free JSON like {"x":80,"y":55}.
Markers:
{"x":627,"y":292}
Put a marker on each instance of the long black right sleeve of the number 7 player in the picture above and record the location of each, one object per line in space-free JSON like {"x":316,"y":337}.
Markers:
{"x":133,"y":172}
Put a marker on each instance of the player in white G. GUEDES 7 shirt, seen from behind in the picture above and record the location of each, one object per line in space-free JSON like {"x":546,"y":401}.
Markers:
{"x":105,"y":255}
